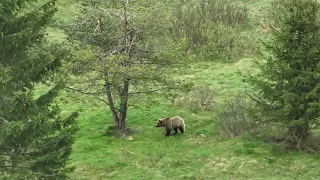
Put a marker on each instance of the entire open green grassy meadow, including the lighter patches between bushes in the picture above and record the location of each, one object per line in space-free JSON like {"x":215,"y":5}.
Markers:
{"x":200,"y":153}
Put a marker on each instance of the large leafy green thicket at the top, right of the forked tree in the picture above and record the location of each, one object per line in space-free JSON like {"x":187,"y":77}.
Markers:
{"x":212,"y":28}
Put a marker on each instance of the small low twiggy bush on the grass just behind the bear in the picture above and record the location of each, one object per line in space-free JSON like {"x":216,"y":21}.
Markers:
{"x":200,"y":98}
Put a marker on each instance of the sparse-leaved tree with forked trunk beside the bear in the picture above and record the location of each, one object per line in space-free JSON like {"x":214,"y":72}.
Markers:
{"x":123,"y":53}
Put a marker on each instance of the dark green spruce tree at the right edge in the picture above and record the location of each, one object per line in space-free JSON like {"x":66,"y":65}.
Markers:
{"x":288,"y":86}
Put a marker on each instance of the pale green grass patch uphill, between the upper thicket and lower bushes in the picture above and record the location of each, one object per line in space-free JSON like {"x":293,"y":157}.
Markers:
{"x":226,"y":78}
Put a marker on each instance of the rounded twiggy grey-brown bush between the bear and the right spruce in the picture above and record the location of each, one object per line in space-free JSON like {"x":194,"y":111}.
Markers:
{"x":234,"y":117}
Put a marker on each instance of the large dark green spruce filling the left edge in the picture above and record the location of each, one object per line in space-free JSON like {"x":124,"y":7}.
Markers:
{"x":35,"y":140}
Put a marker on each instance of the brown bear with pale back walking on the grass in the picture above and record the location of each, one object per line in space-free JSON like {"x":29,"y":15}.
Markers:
{"x":175,"y":123}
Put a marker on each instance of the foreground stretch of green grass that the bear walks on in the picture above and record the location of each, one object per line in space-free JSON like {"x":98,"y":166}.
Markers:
{"x":200,"y":153}
